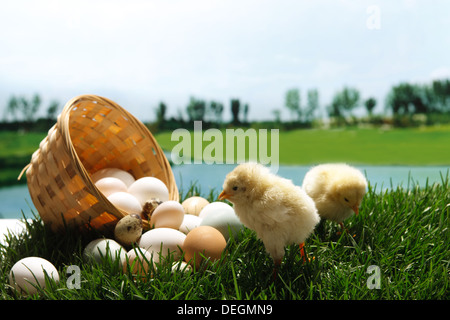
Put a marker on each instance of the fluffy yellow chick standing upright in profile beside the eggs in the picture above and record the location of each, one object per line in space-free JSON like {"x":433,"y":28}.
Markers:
{"x":278,"y":211}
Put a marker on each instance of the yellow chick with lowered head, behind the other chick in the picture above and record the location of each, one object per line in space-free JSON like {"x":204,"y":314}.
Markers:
{"x":337,"y":190}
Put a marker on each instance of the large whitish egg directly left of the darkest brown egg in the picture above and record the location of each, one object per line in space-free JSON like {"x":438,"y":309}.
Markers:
{"x":161,"y":241}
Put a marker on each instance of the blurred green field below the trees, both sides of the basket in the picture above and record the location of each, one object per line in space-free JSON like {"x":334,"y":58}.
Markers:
{"x":412,"y":146}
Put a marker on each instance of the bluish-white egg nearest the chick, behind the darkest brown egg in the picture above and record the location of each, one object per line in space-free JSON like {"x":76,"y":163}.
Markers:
{"x":225,"y":221}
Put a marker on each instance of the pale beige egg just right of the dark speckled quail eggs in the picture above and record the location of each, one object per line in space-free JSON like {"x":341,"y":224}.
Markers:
{"x":168,"y":214}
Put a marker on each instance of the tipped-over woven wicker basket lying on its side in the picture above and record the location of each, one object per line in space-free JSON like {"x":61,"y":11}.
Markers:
{"x":91,"y":133}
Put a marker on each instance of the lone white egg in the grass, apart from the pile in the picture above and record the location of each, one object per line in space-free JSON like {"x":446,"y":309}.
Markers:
{"x":30,"y":272}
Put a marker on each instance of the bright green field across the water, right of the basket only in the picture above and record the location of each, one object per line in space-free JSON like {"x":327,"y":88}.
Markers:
{"x":412,"y":146}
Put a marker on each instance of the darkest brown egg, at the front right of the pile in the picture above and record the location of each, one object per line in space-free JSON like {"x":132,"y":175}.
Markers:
{"x":203,"y":240}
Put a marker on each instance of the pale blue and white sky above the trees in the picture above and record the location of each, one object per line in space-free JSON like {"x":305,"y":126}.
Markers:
{"x":138,"y":53}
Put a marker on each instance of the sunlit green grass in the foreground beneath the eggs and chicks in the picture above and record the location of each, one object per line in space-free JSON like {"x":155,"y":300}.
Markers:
{"x":403,"y":232}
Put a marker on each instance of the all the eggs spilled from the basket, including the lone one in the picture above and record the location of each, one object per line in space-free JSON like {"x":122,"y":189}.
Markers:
{"x":193,"y":230}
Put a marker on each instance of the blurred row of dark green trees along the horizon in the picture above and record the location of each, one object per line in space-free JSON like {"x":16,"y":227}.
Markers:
{"x":406,"y":104}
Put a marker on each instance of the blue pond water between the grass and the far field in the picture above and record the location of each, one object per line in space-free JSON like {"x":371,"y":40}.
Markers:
{"x":14,"y":200}
